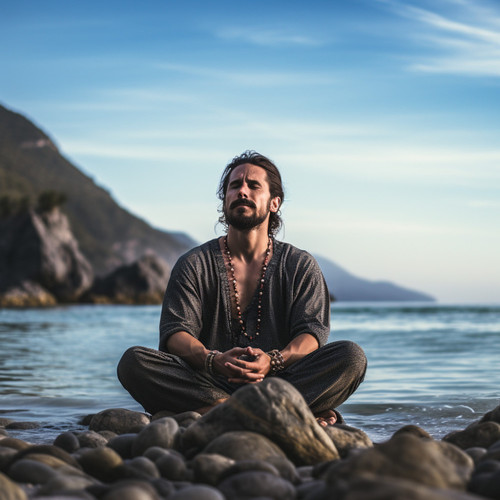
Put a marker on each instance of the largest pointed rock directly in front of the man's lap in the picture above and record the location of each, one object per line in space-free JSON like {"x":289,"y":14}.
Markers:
{"x":274,"y":409}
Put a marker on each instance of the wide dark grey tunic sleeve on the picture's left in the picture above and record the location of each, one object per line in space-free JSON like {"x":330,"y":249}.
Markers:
{"x":181,"y":310}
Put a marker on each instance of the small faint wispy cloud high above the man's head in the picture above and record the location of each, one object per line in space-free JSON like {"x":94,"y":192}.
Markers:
{"x":268,"y":37}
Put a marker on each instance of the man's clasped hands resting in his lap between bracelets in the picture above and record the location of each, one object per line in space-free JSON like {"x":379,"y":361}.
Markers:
{"x":243,"y":365}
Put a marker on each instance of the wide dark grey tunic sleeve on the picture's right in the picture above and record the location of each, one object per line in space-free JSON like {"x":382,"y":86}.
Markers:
{"x":310,"y":299}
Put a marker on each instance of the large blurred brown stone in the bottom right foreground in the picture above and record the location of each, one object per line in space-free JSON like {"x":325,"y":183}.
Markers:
{"x":430,"y":463}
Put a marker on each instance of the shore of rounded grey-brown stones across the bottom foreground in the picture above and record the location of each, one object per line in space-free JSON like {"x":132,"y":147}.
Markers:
{"x":263,"y":443}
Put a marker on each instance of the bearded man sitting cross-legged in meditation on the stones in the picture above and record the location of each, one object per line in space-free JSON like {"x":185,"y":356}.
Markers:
{"x":244,"y":307}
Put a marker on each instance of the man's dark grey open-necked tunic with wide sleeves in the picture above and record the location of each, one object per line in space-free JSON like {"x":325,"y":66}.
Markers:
{"x":295,"y":300}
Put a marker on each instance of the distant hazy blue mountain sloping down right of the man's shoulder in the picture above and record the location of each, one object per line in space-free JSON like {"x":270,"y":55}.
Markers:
{"x":344,"y":286}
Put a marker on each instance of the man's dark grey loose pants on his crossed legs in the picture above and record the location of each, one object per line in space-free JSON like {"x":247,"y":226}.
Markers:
{"x":161,"y":381}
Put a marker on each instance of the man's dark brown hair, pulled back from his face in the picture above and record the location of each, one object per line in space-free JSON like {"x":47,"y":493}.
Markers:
{"x":273,"y":178}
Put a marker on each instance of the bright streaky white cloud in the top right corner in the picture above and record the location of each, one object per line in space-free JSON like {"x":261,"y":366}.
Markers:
{"x":464,"y":40}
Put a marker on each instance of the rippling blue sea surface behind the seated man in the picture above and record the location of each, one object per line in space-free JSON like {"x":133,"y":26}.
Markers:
{"x":433,"y":365}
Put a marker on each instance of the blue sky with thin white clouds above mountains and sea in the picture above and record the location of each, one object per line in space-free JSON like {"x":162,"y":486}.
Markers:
{"x":382,"y":115}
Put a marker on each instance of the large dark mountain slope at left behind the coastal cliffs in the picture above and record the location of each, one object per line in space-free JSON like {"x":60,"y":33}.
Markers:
{"x":108,"y":235}
